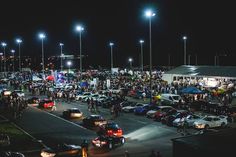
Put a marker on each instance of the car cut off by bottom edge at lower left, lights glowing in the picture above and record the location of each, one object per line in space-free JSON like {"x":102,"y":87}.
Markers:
{"x":62,"y":150}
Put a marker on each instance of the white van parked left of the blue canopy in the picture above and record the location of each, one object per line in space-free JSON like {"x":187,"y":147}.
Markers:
{"x":170,"y":99}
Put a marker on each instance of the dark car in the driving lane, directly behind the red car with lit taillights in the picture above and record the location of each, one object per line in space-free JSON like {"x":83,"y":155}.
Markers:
{"x":93,"y":121}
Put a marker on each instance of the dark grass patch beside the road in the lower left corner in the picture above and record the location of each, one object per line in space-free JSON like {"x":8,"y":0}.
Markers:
{"x":19,"y":140}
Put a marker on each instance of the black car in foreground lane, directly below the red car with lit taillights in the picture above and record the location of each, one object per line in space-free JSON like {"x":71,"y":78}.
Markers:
{"x":109,"y":142}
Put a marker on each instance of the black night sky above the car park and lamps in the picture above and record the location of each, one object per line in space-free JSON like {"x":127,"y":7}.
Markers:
{"x":209,"y":25}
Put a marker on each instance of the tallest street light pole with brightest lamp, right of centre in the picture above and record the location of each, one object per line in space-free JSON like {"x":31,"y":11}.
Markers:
{"x":150,"y":14}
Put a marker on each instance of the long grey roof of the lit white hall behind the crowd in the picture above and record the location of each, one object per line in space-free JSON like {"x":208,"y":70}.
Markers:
{"x":215,"y":71}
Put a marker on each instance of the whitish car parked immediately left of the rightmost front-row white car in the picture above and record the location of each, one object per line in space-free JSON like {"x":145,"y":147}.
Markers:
{"x":190,"y":119}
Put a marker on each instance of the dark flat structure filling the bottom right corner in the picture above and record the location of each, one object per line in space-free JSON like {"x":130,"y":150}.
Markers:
{"x":215,"y":144}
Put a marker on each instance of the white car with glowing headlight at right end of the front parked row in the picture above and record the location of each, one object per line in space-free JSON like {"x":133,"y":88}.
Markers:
{"x":211,"y":122}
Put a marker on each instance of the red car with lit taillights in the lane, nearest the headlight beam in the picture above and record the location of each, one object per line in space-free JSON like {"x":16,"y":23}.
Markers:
{"x":110,"y":129}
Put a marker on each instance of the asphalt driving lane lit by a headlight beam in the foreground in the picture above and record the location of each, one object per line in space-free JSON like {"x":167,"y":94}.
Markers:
{"x":142,"y":134}
